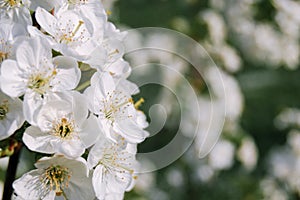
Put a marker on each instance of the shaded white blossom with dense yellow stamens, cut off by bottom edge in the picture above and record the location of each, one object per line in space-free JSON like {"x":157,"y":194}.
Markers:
{"x":56,"y":176}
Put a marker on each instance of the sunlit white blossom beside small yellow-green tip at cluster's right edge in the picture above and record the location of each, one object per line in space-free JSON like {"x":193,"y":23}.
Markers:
{"x":115,"y":109}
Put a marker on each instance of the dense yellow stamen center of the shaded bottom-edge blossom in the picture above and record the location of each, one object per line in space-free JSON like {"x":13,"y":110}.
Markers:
{"x":56,"y":178}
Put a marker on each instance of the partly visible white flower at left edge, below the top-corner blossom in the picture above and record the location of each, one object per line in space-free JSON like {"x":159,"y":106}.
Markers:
{"x":9,"y":39}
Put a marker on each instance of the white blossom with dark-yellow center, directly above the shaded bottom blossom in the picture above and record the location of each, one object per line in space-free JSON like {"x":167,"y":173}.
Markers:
{"x":63,"y":127}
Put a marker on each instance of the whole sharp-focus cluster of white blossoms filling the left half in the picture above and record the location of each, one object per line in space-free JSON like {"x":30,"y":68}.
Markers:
{"x":87,"y":132}
